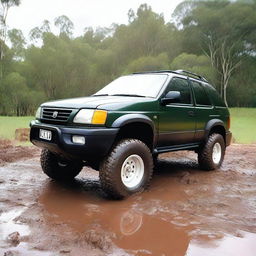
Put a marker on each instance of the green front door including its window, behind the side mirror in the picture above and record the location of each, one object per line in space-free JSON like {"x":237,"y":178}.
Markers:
{"x":177,"y":120}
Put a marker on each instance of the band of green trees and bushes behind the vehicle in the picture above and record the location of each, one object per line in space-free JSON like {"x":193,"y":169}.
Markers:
{"x":208,"y":37}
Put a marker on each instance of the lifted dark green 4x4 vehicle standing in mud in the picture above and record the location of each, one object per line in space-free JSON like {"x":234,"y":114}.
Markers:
{"x":120,"y":129}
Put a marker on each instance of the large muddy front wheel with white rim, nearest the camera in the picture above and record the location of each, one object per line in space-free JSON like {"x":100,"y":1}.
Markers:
{"x":127,"y":169}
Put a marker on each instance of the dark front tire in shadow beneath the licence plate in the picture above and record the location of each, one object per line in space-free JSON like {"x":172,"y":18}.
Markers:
{"x":57,"y":168}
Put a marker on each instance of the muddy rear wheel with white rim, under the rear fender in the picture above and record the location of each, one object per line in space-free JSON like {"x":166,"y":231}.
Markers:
{"x":211,"y":154}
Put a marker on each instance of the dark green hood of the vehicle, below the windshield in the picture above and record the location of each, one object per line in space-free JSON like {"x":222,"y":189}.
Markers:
{"x":103,"y":102}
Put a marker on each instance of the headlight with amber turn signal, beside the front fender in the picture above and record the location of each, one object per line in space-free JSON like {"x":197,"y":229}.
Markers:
{"x":91,"y":116}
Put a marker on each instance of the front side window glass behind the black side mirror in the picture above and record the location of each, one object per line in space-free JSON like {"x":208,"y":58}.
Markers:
{"x":182,"y":86}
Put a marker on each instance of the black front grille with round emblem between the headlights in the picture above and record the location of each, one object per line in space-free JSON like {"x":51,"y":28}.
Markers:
{"x":56,"y":114}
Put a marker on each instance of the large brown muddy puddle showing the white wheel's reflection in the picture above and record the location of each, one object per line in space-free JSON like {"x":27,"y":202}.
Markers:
{"x":160,"y":221}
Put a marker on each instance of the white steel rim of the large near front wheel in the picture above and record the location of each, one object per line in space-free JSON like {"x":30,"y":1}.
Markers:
{"x":132,"y":171}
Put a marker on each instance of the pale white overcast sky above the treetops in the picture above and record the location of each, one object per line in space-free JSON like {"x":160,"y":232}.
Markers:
{"x":83,"y":13}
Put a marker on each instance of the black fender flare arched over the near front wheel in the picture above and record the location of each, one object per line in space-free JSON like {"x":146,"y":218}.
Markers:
{"x":135,"y":118}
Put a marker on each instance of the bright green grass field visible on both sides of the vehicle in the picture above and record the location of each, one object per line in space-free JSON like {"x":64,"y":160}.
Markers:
{"x":243,"y":123}
